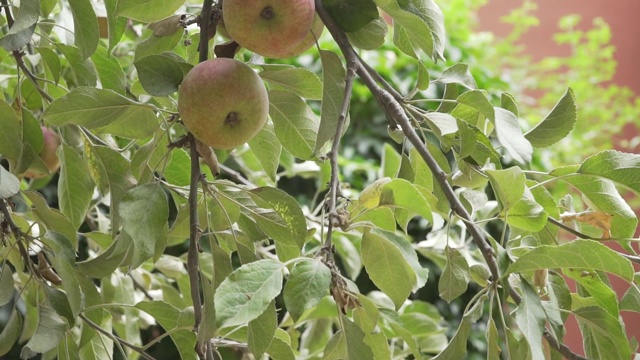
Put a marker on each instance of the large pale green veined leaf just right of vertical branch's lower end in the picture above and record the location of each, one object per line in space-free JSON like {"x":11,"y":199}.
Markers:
{"x":247,"y":292}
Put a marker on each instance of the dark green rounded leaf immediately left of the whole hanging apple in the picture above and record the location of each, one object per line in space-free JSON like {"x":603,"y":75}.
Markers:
{"x":159,"y":75}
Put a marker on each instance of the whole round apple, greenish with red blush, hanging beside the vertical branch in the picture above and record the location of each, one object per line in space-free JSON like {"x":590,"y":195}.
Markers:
{"x":223,"y":103}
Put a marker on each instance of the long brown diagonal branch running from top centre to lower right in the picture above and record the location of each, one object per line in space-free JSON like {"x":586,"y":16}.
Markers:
{"x":395,"y":113}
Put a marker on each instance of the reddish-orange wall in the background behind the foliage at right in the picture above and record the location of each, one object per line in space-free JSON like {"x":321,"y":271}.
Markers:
{"x":622,"y":17}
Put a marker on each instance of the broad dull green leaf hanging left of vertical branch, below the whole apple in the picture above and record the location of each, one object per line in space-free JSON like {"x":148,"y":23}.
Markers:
{"x":144,"y":211}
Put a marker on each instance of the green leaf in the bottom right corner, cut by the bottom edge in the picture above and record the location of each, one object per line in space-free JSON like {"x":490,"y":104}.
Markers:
{"x":607,"y":332}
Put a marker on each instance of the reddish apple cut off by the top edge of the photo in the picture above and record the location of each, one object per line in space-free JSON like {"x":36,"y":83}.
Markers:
{"x":268,"y":27}
